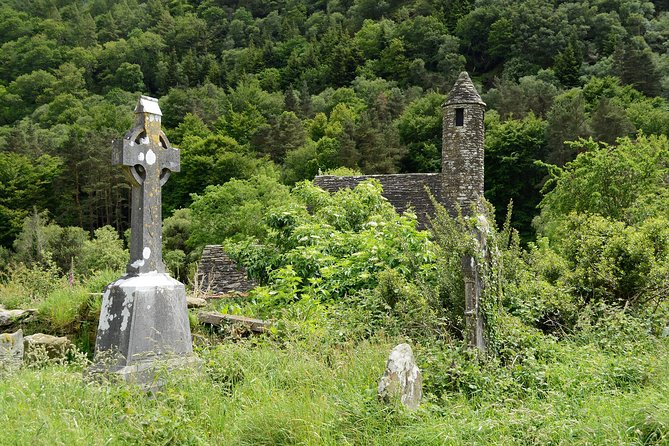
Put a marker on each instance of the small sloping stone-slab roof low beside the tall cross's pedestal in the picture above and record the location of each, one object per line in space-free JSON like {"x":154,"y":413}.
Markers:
{"x":219,"y":274}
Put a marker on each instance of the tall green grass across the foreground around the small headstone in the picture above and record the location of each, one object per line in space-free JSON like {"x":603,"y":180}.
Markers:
{"x":267,"y":393}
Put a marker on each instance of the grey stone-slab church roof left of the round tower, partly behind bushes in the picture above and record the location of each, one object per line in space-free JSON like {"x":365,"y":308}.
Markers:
{"x":401,"y":190}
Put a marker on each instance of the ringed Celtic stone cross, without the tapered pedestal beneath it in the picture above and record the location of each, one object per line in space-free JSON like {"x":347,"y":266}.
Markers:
{"x":147,"y":159}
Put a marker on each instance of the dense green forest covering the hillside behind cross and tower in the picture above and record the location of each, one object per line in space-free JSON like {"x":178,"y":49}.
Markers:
{"x":291,"y":88}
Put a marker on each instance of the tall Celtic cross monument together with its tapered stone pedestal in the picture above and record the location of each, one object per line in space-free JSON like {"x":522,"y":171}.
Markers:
{"x":144,"y":318}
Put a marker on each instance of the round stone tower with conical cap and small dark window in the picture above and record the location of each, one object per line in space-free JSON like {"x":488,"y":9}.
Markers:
{"x":462,"y":145}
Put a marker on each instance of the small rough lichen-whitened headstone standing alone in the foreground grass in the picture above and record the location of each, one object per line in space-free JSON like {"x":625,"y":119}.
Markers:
{"x":402,"y":378}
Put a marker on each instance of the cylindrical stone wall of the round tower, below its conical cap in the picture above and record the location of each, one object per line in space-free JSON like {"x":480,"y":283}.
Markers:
{"x":462,"y":155}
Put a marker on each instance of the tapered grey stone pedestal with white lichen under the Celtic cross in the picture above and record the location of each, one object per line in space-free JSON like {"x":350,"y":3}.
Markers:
{"x":143,"y":328}
